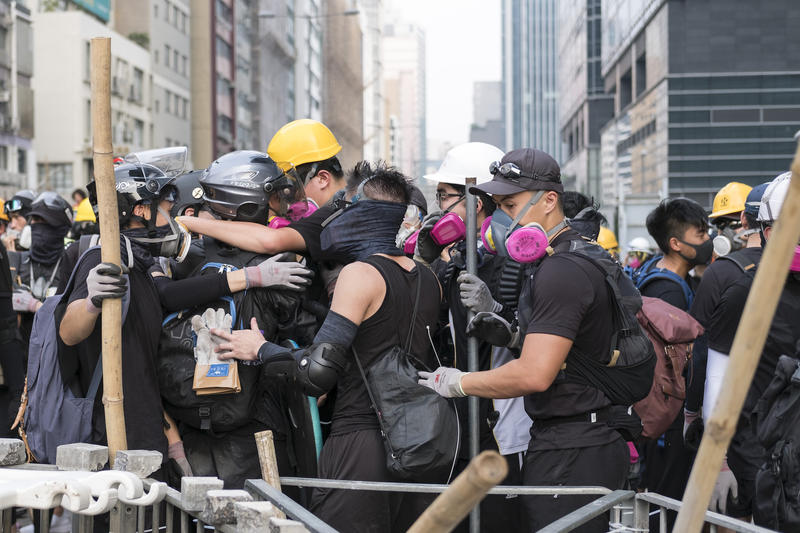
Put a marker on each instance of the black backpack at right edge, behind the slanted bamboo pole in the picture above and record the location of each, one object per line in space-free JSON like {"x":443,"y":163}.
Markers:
{"x":776,"y":421}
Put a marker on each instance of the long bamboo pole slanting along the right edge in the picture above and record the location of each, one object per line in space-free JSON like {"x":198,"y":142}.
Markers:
{"x":745,"y":354}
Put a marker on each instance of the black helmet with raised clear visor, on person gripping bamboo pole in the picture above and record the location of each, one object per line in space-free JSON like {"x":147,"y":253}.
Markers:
{"x":136,"y":184}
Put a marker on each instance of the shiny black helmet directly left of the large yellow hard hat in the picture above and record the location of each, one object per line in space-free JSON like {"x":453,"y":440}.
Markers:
{"x":238,"y":186}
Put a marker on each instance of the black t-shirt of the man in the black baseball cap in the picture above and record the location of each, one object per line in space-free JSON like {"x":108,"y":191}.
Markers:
{"x":571,"y":301}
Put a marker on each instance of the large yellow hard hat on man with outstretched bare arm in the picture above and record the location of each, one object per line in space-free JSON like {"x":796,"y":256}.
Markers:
{"x":302,"y":141}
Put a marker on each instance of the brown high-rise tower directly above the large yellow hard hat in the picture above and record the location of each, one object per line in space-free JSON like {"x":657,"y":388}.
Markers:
{"x":343,"y":89}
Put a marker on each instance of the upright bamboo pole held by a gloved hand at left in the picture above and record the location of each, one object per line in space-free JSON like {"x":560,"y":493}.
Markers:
{"x":111,"y":316}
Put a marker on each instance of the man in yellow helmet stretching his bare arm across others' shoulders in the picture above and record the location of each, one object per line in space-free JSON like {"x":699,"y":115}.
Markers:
{"x":307,"y":149}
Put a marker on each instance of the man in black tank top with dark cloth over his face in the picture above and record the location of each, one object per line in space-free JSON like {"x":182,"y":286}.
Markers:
{"x":371,"y":312}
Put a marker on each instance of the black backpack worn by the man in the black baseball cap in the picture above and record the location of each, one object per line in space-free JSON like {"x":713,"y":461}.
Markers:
{"x":626,"y":375}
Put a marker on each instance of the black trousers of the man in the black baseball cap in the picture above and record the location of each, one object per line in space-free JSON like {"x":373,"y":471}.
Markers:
{"x":605,"y":466}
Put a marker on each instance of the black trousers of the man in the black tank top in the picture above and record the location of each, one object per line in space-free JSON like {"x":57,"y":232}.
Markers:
{"x":360,"y":456}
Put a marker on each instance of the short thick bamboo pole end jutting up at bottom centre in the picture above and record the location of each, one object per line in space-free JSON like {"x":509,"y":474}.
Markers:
{"x":484,"y":472}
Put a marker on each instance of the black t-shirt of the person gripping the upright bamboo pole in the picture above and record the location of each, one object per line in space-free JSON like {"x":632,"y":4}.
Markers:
{"x":140,"y":335}
